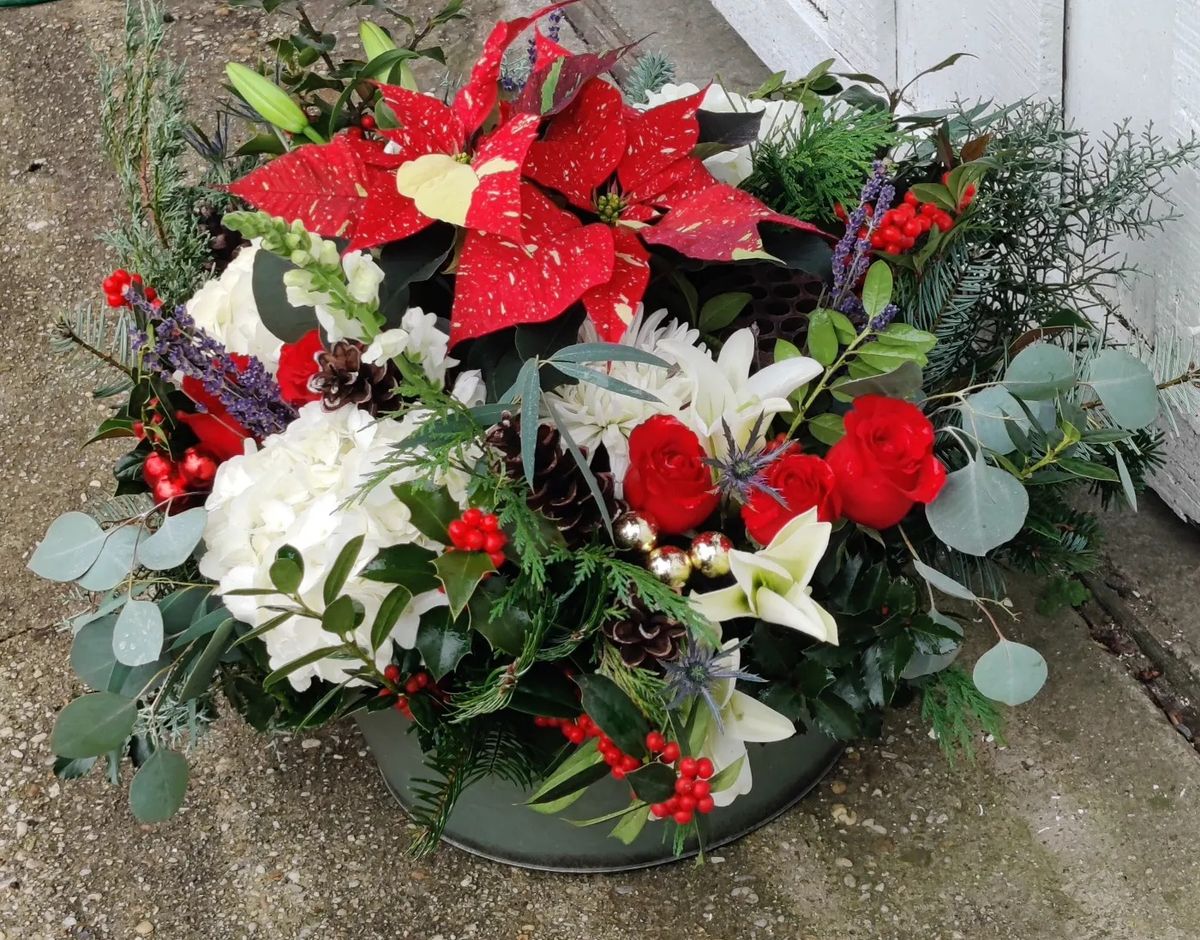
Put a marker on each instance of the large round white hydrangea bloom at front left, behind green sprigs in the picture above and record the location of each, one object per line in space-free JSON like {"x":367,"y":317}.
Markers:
{"x":296,"y":490}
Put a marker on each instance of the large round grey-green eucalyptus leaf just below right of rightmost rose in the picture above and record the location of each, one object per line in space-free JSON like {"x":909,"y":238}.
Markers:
{"x":980,"y":508}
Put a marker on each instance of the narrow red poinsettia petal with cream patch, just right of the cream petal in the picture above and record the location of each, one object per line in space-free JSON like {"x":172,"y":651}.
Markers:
{"x":496,"y":203}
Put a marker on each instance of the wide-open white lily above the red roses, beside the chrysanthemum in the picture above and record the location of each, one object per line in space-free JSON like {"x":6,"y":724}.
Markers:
{"x":725,"y":392}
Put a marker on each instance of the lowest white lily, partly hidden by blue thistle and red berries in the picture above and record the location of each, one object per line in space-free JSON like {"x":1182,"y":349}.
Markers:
{"x":742,"y":719}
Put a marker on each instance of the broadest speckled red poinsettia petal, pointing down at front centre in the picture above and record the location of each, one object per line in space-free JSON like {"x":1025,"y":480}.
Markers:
{"x":503,"y":283}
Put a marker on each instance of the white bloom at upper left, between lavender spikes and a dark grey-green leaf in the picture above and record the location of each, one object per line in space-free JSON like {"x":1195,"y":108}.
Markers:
{"x":226,"y":310}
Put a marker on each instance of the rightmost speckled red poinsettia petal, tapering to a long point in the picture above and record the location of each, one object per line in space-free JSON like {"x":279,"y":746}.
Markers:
{"x":721,"y":224}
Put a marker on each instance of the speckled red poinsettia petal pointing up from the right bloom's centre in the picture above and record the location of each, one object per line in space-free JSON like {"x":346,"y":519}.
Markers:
{"x":583,"y":146}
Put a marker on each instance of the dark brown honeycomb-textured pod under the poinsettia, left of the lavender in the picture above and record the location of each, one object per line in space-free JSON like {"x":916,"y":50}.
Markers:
{"x":781,"y":303}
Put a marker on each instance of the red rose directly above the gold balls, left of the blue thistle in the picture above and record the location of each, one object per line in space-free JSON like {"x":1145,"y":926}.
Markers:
{"x":668,"y":478}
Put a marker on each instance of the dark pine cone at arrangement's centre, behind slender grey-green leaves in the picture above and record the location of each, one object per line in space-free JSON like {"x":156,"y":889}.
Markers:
{"x":560,"y":490}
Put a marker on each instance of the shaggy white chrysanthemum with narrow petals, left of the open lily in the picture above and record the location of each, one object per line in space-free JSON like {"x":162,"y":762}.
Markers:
{"x":595,"y":416}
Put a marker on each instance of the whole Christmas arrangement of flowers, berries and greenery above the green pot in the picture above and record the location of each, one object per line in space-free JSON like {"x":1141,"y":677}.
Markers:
{"x":597,"y":434}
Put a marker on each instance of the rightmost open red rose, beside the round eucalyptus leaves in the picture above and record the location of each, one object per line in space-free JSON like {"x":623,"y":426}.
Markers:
{"x":886,"y":462}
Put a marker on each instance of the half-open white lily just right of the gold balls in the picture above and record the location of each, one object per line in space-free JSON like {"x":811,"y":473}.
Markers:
{"x":773,"y":583}
